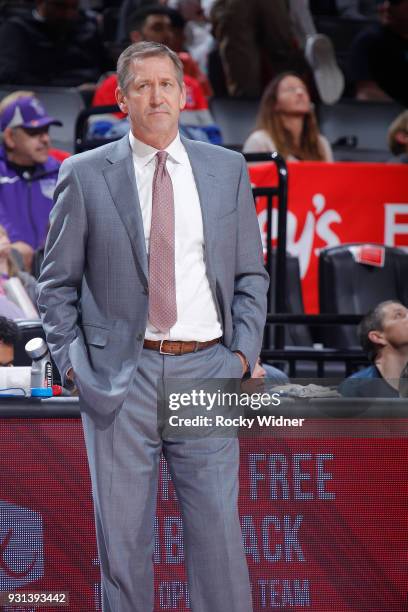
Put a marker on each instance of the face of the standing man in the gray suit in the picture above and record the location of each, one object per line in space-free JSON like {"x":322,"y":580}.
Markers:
{"x":153,"y":100}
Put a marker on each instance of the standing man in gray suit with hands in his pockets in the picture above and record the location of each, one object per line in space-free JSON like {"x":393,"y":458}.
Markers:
{"x":116,"y":325}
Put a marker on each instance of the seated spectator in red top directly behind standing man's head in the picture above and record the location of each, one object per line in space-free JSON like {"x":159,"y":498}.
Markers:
{"x":153,"y":24}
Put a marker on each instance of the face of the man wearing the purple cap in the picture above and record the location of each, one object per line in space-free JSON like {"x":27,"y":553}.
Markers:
{"x":27,"y":146}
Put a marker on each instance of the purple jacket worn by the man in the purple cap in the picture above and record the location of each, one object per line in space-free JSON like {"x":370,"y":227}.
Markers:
{"x":26,"y":200}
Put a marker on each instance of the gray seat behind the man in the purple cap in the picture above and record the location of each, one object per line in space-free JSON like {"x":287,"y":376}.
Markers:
{"x":64,"y":103}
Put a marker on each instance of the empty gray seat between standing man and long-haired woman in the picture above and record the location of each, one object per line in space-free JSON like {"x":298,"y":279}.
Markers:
{"x":235,"y":118}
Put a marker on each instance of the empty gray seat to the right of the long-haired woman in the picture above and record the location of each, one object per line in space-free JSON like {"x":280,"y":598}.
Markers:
{"x":358,"y":130}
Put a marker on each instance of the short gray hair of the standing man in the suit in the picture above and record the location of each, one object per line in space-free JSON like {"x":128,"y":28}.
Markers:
{"x":142,"y":50}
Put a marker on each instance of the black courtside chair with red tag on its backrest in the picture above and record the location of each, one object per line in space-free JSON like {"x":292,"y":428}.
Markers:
{"x":355,"y":277}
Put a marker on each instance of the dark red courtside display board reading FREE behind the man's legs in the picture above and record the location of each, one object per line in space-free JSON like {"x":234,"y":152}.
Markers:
{"x":325,"y":522}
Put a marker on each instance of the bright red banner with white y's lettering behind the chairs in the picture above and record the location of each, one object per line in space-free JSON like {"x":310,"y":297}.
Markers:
{"x":331,"y":204}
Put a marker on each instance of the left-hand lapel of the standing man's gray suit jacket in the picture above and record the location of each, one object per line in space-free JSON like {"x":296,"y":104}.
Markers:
{"x":121,"y":181}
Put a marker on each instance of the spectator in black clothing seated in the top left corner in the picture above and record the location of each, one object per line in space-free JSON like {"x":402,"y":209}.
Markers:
{"x":56,"y":45}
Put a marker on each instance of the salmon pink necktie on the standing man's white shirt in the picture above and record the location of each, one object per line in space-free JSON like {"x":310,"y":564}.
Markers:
{"x":162,"y":277}
